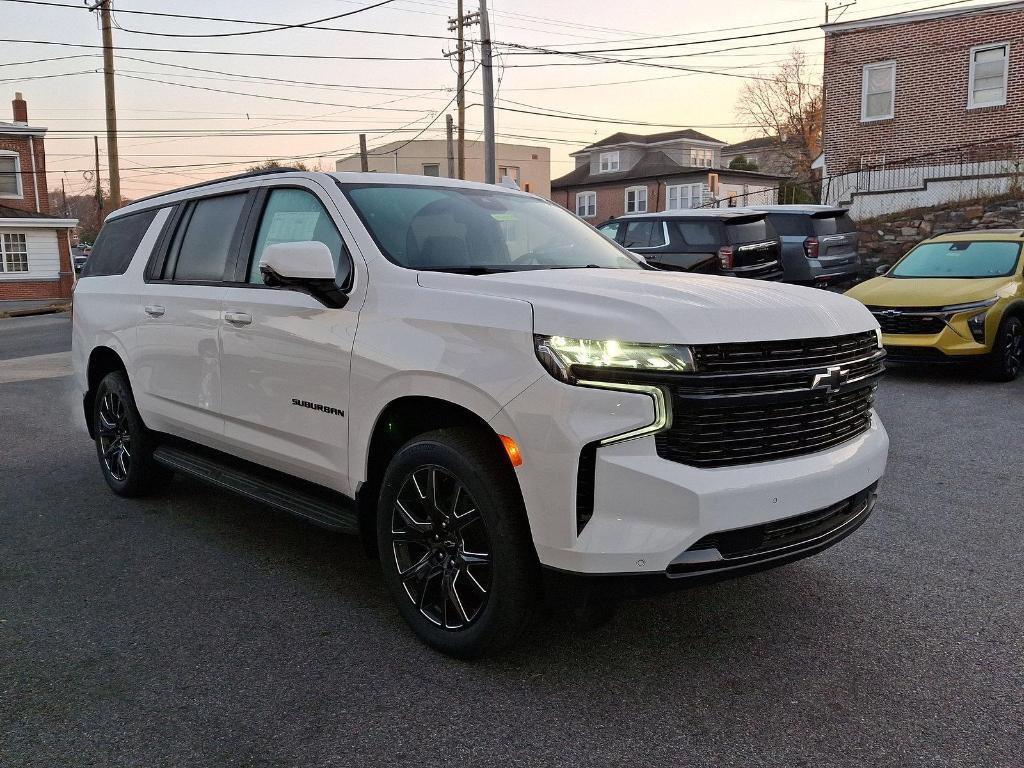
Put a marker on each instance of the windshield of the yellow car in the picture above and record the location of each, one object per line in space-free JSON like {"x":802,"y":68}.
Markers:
{"x":961,"y":260}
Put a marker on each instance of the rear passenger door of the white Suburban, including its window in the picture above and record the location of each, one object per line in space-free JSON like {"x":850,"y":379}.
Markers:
{"x":178,"y":363}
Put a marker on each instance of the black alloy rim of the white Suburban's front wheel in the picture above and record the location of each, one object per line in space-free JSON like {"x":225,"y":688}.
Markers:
{"x":442,"y":548}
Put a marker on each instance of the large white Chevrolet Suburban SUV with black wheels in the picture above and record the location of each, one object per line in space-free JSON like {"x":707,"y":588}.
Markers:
{"x":504,"y":404}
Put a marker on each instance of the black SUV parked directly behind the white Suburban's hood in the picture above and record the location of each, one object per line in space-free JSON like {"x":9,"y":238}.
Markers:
{"x":738,"y":242}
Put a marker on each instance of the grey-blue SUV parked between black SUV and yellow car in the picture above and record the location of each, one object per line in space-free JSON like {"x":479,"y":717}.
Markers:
{"x":820,"y":243}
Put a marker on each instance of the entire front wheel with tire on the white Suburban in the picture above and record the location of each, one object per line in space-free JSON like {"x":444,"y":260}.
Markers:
{"x":455,"y":546}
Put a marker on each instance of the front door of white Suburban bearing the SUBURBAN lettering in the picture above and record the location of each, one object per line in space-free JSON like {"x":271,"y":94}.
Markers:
{"x":285,"y":356}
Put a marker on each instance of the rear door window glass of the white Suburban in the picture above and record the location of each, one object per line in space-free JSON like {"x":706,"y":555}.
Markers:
{"x":203,"y":243}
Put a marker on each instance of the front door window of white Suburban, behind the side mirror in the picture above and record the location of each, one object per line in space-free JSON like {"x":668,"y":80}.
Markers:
{"x":293,"y":216}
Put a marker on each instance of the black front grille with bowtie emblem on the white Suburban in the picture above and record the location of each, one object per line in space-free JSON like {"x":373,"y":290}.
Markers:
{"x":754,"y":402}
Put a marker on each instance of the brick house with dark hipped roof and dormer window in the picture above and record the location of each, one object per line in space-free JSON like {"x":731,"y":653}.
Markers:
{"x":639,"y":174}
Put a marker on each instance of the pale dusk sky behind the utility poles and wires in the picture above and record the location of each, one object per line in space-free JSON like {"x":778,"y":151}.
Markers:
{"x":179,"y":126}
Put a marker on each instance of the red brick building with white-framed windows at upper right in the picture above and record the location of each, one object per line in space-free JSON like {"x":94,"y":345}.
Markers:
{"x":923,"y":108}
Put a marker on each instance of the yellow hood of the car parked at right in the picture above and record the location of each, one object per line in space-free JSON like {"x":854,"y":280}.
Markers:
{"x":928,"y":292}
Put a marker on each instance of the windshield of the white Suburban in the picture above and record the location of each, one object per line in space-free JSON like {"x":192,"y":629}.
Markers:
{"x":479,"y":231}
